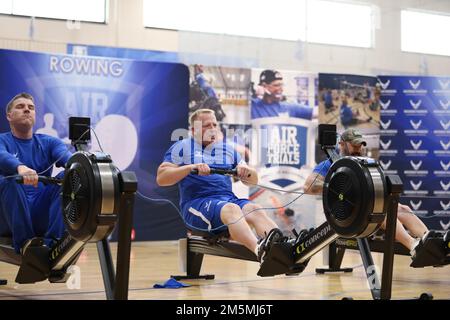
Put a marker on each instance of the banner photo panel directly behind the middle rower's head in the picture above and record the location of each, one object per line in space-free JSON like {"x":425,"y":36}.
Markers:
{"x":226,"y":91}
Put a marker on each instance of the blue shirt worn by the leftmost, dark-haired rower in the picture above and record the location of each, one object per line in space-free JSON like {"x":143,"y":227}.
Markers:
{"x":37,"y":153}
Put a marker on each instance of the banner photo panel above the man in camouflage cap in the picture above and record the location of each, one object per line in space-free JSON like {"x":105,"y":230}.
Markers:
{"x":351,"y":101}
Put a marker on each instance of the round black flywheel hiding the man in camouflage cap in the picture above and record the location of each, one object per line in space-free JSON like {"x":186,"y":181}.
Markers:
{"x":353,"y":196}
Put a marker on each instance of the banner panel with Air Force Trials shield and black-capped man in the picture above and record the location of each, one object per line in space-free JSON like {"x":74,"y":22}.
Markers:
{"x":283,"y":119}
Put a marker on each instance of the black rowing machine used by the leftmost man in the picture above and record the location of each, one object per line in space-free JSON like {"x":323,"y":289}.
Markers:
{"x":96,"y":197}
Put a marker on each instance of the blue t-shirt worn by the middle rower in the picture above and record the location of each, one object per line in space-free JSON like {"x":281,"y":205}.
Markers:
{"x":218,"y":155}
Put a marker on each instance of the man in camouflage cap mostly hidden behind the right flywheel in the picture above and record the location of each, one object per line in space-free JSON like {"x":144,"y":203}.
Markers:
{"x":350,"y":144}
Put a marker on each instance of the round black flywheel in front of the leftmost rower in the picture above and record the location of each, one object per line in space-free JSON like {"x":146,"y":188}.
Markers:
{"x":90,"y":196}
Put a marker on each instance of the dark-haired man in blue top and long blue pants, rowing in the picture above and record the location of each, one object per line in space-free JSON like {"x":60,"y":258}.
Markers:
{"x":30,"y":213}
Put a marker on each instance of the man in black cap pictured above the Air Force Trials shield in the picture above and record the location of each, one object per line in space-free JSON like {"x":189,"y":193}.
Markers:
{"x":271,"y":104}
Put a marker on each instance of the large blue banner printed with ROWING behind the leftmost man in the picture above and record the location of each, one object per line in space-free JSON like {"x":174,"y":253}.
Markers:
{"x":134,"y":107}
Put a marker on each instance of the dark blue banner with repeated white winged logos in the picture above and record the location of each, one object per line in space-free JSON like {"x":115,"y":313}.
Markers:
{"x":415,"y":143}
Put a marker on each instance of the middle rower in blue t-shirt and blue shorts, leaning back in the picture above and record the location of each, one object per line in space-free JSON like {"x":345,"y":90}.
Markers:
{"x":206,"y":200}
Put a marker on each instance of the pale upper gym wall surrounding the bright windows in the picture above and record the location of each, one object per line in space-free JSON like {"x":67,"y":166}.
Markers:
{"x":125,"y":29}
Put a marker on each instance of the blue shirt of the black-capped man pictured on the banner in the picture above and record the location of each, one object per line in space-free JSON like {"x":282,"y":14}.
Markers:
{"x":261,"y":109}
